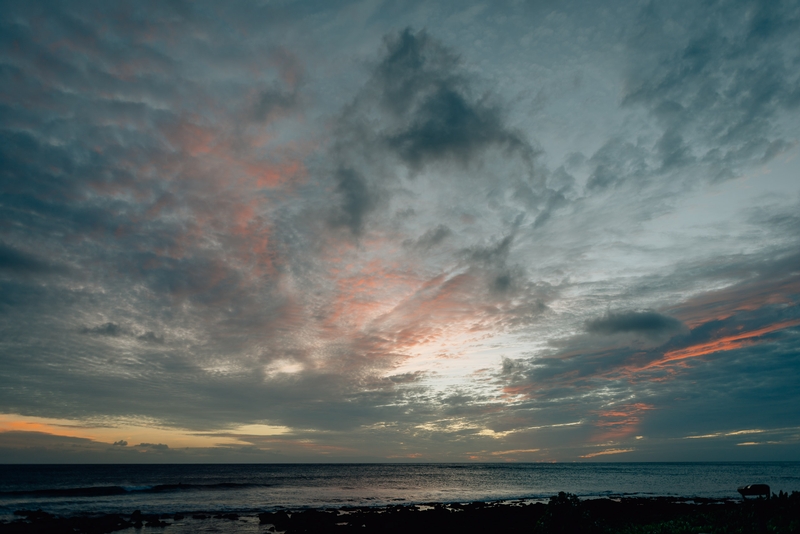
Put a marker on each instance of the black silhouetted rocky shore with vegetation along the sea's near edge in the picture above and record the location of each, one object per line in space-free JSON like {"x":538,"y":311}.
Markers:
{"x":563,"y":514}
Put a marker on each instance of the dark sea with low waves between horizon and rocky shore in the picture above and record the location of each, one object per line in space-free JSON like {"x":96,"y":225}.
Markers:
{"x":247,"y":489}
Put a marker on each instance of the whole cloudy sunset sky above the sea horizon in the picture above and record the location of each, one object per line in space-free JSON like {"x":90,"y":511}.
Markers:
{"x":399,"y":231}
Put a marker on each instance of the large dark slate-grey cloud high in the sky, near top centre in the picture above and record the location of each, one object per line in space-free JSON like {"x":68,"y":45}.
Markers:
{"x":430,"y":114}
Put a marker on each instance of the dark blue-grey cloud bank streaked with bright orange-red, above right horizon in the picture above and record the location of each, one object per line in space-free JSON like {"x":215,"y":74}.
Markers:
{"x":733,"y":342}
